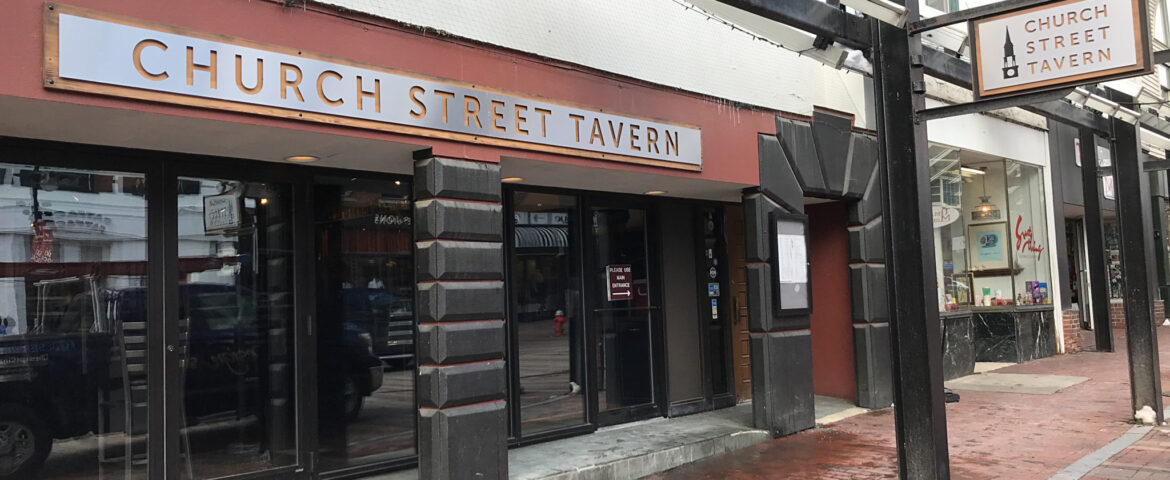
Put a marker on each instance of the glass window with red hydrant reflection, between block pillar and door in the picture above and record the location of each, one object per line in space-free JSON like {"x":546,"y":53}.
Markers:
{"x":547,"y":311}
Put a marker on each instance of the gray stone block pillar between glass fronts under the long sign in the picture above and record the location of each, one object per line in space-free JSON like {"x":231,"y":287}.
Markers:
{"x":462,"y":380}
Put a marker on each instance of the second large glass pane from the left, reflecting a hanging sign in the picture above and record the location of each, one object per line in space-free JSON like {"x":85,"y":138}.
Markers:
{"x":236,"y":324}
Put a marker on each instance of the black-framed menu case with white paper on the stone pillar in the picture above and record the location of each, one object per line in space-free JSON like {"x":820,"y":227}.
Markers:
{"x":792,"y":284}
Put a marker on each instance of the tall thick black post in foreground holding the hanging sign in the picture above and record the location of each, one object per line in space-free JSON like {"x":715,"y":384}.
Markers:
{"x":920,"y":414}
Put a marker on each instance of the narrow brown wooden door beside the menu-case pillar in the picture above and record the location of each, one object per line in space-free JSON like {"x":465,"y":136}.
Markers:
{"x":738,"y":271}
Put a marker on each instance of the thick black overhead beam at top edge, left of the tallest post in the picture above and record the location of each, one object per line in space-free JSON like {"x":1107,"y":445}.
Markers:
{"x":814,"y":17}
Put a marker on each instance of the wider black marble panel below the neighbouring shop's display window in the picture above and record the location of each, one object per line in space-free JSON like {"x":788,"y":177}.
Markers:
{"x":1014,"y":334}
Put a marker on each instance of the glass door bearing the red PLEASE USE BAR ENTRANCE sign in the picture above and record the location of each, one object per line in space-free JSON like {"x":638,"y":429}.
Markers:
{"x":623,"y":312}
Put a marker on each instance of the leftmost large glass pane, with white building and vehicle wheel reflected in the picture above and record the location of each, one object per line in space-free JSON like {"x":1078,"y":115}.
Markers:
{"x":73,"y":324}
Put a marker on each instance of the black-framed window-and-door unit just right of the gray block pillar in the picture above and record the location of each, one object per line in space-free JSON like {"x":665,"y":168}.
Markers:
{"x":584,"y":313}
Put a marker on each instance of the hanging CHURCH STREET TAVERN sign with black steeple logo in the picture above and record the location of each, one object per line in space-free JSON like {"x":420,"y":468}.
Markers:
{"x":1059,"y":45}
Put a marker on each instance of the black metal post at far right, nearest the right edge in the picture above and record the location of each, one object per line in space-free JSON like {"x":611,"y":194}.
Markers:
{"x":1137,"y":250}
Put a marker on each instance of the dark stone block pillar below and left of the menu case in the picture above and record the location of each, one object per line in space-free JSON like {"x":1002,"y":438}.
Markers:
{"x":782,"y":395}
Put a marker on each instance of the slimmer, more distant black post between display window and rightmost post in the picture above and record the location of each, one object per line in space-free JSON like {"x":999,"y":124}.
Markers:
{"x":1098,"y":268}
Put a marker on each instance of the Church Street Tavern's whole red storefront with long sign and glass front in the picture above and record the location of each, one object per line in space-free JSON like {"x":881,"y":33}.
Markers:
{"x":235,"y":244}
